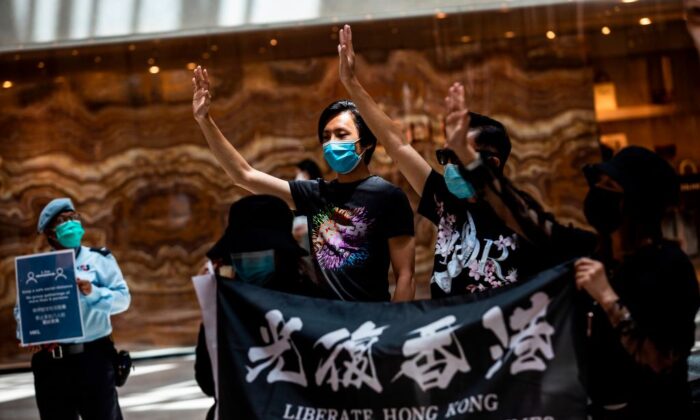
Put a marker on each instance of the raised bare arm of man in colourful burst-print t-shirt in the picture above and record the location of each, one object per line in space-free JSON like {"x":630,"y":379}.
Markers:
{"x":243,"y":175}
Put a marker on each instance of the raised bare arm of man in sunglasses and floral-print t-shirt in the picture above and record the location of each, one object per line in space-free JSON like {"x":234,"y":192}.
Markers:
{"x":410,"y":162}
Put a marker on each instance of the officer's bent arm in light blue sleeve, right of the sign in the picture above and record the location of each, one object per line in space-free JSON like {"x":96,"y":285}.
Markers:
{"x":110,"y":293}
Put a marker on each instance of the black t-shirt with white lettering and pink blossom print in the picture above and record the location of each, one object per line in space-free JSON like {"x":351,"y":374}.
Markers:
{"x":474,"y":251}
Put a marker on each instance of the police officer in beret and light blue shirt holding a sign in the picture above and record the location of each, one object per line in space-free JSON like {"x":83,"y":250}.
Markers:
{"x":77,"y":377}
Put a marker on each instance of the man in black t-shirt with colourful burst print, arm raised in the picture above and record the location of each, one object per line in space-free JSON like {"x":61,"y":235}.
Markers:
{"x":358,"y":223}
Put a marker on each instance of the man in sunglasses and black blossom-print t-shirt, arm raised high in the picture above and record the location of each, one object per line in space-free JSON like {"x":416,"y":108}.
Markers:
{"x":475,"y":250}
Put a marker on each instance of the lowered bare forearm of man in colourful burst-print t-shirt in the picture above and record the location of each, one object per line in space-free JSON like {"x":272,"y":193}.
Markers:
{"x":402,"y":251}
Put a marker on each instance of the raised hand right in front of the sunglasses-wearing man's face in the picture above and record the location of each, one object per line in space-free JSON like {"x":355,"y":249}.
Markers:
{"x":457,"y":125}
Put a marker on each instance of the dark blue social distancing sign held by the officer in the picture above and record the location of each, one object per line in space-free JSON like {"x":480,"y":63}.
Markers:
{"x":47,"y":297}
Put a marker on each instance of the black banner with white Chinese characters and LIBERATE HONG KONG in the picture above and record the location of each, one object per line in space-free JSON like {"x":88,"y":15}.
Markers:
{"x":507,"y":356}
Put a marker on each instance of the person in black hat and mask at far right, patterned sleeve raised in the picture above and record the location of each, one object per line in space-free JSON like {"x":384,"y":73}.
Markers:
{"x":645,"y":292}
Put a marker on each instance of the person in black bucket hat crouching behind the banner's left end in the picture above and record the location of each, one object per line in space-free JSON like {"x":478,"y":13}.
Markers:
{"x":257,"y":247}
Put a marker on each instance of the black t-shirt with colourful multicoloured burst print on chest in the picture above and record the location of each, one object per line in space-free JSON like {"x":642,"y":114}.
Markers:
{"x":349,"y":228}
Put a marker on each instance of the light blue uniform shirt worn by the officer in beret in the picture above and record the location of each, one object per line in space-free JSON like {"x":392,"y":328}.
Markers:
{"x":109,"y":296}
